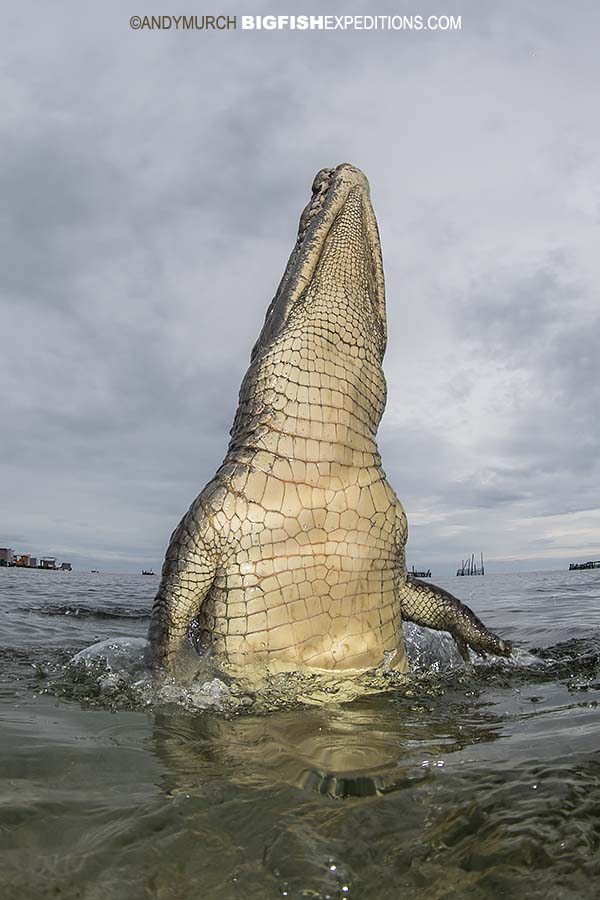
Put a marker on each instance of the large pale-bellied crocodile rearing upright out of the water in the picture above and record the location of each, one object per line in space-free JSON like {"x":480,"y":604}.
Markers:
{"x":292,"y":557}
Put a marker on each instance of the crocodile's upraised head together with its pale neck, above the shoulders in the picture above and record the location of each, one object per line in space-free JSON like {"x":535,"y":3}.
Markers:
{"x":315,"y":390}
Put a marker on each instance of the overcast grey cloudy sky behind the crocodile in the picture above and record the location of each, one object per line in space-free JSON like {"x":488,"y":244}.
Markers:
{"x":152,"y":183}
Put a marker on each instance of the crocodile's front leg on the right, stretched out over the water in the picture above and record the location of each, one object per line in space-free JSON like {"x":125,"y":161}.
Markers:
{"x":431,"y":606}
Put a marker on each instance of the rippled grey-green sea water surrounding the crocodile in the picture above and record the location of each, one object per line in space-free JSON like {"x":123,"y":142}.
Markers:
{"x":476,"y":782}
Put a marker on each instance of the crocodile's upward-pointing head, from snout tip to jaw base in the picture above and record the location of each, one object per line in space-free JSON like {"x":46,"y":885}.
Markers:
{"x":335,"y":271}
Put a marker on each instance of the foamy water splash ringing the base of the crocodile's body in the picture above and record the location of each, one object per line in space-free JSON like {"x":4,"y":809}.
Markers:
{"x":114,"y":673}
